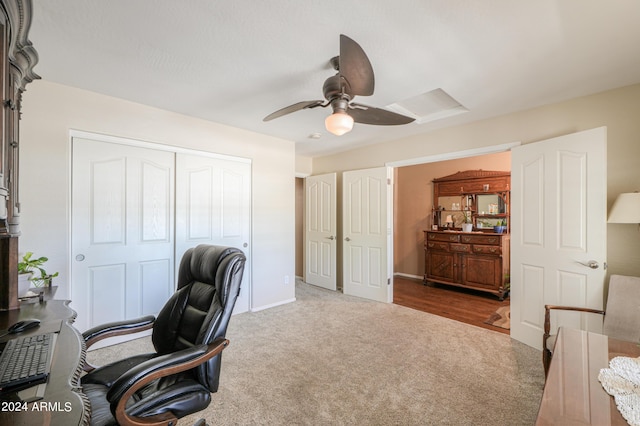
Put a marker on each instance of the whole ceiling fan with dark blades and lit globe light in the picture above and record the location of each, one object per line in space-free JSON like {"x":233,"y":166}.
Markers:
{"x":354,"y":78}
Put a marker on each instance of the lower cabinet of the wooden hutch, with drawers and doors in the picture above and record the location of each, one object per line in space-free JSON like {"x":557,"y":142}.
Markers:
{"x":474,"y":260}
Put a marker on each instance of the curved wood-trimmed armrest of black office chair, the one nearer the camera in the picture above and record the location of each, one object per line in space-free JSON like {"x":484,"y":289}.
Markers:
{"x":127,"y":384}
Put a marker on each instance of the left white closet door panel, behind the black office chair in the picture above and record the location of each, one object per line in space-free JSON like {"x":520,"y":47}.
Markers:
{"x":122,"y":231}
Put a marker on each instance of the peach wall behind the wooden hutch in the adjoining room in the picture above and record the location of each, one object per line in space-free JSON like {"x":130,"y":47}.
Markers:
{"x":414,"y":200}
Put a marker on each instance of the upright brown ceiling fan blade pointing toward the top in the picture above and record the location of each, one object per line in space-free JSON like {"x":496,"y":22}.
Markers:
{"x":355,"y":67}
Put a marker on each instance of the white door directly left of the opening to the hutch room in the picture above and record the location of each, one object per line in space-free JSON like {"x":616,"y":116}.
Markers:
{"x":366,"y":225}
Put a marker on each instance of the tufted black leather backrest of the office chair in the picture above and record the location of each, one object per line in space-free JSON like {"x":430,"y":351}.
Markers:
{"x":198,"y":312}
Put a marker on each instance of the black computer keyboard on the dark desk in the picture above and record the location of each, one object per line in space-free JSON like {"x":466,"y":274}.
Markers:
{"x":26,"y":361}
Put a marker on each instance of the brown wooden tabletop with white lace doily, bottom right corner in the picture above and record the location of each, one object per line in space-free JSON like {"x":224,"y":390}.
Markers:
{"x":573,"y":394}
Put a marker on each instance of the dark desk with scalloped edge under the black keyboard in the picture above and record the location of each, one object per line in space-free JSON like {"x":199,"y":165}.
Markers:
{"x":63,"y":402}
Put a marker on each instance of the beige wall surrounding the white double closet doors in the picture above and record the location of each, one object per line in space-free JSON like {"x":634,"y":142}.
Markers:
{"x":51,"y":110}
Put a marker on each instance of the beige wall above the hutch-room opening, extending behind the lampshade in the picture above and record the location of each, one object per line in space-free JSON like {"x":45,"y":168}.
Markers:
{"x":618,"y":110}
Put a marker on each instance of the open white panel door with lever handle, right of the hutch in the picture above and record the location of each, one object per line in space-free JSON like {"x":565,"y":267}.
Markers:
{"x":558,"y":226}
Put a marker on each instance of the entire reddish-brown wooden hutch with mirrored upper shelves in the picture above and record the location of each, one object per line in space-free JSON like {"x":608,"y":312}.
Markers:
{"x":476,"y":258}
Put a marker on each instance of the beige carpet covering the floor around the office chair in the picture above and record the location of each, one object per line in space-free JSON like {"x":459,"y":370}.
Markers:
{"x":334,"y":359}
